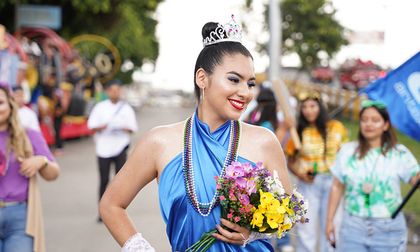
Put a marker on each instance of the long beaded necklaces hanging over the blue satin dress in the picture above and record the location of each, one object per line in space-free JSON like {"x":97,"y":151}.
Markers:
{"x":202,"y":208}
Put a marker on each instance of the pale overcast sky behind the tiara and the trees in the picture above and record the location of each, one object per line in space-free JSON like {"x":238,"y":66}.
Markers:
{"x":180,"y":23}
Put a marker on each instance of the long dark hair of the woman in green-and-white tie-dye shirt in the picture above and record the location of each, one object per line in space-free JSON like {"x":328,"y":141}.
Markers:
{"x":388,"y":139}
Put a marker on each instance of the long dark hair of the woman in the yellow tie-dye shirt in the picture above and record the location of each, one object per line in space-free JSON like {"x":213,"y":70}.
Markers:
{"x":320,"y":122}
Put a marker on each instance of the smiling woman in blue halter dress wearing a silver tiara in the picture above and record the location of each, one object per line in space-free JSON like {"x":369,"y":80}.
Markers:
{"x":185,"y":157}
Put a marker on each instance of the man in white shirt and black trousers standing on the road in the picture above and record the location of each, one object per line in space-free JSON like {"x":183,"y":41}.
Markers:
{"x":113,"y":121}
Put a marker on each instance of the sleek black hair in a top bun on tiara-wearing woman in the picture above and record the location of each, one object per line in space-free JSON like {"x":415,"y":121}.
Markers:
{"x":212,"y":55}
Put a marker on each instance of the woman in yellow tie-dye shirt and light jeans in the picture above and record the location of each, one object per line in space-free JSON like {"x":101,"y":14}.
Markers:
{"x":321,"y":139}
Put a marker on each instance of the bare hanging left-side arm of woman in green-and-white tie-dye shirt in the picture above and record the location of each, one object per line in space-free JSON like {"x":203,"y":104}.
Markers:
{"x":336,"y":192}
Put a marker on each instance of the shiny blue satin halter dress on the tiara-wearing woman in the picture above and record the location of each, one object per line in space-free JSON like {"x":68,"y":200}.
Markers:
{"x":184,"y":224}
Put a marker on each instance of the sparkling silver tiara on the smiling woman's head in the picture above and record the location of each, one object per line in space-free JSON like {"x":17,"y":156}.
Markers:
{"x":232,"y":29}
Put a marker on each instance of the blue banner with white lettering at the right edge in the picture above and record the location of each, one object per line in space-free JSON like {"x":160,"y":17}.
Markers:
{"x":400,"y":91}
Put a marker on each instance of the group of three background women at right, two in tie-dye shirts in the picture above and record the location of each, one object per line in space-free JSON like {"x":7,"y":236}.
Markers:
{"x":353,"y":188}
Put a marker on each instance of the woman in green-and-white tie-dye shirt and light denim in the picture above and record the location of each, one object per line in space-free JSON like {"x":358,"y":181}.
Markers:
{"x":367,"y":173}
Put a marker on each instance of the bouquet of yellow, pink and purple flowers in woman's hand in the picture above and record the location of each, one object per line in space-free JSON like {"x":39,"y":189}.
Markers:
{"x":252,"y":197}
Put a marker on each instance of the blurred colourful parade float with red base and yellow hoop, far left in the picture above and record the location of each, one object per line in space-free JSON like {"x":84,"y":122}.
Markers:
{"x":60,"y":78}
